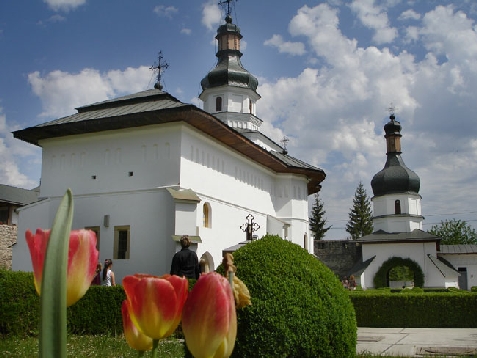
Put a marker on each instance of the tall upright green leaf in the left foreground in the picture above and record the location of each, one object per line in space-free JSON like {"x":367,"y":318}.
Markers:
{"x":53,"y":286}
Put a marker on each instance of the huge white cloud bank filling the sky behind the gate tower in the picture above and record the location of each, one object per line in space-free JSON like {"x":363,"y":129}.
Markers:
{"x":338,"y":110}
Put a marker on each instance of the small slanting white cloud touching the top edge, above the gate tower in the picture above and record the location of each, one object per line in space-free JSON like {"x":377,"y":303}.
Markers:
{"x":376,"y":18}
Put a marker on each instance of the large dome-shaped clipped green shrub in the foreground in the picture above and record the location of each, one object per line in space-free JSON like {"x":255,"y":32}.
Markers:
{"x":299,"y":308}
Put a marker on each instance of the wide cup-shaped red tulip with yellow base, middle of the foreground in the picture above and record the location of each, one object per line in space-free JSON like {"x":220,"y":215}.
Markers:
{"x":155,"y":303}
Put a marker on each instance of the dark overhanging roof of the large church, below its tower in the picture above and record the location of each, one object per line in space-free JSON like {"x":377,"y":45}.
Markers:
{"x":157,"y":107}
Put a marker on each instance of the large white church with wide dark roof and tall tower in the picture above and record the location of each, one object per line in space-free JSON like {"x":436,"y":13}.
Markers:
{"x":146,"y":169}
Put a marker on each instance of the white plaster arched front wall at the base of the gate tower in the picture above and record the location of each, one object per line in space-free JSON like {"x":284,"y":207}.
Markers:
{"x":415,"y":251}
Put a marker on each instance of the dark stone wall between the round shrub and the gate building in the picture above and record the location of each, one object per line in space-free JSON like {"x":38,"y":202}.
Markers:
{"x":339,"y":255}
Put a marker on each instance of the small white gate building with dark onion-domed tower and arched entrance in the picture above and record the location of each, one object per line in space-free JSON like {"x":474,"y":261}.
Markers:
{"x":398,"y":233}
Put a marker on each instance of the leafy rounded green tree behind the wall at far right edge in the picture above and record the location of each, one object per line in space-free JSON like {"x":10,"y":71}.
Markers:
{"x":455,"y":232}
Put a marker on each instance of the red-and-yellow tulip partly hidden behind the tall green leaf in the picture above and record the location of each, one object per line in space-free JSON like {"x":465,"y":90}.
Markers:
{"x":82,"y":260}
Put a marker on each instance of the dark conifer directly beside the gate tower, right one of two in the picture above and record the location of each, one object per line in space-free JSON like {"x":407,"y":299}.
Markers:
{"x":360,"y":217}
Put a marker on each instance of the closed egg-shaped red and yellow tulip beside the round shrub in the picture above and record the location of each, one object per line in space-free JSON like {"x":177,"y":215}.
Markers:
{"x":209,"y":321}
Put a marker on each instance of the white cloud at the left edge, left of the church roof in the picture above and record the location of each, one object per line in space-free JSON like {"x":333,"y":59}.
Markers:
{"x":12,"y":152}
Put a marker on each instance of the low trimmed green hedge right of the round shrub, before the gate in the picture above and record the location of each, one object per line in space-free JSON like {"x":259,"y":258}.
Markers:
{"x":411,"y":309}
